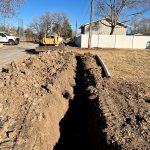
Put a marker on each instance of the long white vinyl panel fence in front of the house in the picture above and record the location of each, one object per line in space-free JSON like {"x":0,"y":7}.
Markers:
{"x":114,"y":41}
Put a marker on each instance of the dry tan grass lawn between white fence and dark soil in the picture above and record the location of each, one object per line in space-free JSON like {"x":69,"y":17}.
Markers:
{"x":126,"y":64}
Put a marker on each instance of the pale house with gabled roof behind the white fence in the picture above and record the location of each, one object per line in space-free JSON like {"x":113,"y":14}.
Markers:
{"x":103,"y":27}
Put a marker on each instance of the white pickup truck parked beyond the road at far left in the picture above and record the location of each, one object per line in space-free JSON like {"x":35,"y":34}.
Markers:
{"x":6,"y":38}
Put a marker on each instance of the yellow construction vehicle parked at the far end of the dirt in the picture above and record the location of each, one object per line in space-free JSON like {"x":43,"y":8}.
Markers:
{"x":54,"y":40}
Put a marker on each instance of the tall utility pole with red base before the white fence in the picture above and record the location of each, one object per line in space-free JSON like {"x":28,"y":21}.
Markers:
{"x":90,"y":27}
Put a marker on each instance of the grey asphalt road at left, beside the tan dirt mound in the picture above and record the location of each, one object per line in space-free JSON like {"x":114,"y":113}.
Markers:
{"x":10,"y":53}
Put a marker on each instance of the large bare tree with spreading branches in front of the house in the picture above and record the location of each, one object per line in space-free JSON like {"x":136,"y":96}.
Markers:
{"x":120,"y":10}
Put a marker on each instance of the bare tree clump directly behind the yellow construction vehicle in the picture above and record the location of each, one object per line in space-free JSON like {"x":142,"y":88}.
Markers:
{"x":49,"y":23}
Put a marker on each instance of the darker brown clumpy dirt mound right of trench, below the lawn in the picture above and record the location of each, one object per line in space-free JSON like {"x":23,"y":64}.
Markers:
{"x":128,"y":113}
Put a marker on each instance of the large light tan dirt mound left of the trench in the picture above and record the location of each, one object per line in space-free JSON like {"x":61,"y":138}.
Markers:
{"x":33,"y":99}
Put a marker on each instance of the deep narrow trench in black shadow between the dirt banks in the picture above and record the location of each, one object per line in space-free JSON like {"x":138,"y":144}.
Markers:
{"x":83,"y":124}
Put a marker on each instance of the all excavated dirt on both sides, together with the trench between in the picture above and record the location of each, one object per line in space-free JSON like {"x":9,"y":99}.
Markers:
{"x":62,"y":101}
